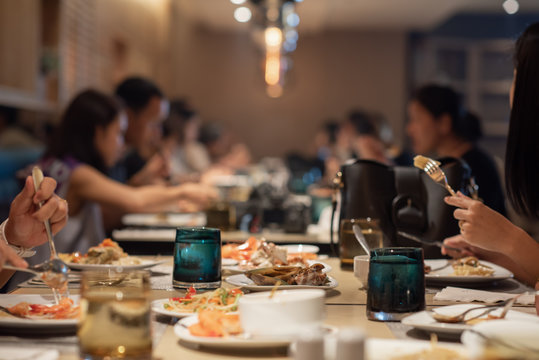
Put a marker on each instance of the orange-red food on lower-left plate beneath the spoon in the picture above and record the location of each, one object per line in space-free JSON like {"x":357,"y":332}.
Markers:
{"x":66,"y":309}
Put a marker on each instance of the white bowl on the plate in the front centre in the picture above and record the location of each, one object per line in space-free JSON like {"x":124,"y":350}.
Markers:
{"x":287,"y":313}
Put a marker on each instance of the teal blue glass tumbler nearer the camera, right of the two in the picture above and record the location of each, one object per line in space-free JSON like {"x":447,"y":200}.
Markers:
{"x":396,"y":283}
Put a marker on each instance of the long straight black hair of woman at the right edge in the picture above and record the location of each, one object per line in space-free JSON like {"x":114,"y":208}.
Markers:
{"x":522,"y":153}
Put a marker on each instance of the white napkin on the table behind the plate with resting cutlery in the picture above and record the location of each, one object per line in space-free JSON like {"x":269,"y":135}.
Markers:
{"x":468,"y":295}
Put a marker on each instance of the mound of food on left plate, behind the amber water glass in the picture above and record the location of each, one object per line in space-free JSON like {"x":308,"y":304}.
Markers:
{"x":106,"y":253}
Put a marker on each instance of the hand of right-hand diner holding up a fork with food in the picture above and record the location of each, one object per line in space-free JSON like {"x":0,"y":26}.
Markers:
{"x":481,"y":226}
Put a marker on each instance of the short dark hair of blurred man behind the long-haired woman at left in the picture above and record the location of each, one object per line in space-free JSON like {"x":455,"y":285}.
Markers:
{"x":136,"y":92}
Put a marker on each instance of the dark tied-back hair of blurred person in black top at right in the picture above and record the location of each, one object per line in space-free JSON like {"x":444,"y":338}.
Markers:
{"x":440,"y":100}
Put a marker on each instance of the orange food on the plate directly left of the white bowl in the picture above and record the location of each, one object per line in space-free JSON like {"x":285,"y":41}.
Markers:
{"x":215,"y":323}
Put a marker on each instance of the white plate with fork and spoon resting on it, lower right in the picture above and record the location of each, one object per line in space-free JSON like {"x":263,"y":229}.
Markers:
{"x":423,"y":321}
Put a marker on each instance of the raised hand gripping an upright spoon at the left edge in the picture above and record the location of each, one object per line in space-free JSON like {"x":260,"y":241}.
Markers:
{"x":24,"y":228}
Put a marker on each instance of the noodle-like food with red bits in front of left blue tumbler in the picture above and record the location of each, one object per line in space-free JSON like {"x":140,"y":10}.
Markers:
{"x":221,"y":299}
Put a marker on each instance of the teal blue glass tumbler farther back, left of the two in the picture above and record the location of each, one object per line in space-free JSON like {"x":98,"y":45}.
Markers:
{"x":197,"y":258}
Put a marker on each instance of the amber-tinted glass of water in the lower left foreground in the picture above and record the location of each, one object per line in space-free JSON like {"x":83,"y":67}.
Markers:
{"x":115,"y":315}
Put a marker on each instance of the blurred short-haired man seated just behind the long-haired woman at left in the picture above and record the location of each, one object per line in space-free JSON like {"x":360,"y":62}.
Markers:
{"x":146,"y":109}
